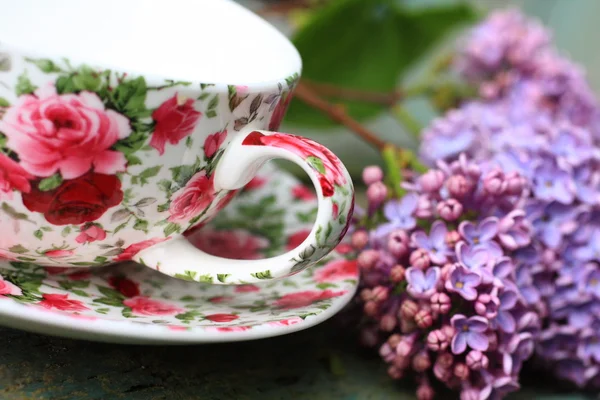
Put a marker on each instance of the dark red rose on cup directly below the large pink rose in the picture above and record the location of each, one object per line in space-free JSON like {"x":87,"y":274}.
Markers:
{"x":76,"y":201}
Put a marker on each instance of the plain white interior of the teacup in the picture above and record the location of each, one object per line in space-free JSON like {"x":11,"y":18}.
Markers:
{"x":210,"y":41}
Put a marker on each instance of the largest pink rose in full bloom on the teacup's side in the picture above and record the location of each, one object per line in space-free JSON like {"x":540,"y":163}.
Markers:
{"x":67,"y":133}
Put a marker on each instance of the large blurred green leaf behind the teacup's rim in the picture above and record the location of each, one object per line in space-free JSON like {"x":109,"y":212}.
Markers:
{"x":376,"y":42}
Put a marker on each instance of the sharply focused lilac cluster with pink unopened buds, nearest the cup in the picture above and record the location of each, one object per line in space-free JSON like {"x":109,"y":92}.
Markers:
{"x":439,"y":282}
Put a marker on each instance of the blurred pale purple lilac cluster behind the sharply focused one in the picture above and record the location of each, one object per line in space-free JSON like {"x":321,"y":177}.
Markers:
{"x":540,"y":120}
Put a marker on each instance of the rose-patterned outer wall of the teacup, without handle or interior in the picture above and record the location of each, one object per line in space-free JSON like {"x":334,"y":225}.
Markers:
{"x":95,"y":164}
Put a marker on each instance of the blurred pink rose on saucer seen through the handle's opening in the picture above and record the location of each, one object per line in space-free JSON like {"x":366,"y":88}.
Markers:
{"x":235,"y":243}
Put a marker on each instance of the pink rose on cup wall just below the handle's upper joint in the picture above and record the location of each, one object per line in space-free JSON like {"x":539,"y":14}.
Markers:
{"x":194,"y":198}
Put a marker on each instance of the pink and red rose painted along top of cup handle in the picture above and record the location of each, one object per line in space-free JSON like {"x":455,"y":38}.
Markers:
{"x":322,"y":158}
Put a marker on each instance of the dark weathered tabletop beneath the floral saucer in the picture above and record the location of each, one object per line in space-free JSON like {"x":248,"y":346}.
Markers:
{"x":320,"y":363}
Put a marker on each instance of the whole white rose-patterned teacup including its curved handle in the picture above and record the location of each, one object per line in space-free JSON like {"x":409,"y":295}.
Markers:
{"x":126,"y":124}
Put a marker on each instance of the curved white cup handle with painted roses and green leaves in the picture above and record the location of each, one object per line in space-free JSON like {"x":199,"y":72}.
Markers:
{"x":240,"y":162}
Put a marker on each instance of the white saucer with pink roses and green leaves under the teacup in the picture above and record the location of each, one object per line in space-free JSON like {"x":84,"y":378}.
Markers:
{"x":128,"y":303}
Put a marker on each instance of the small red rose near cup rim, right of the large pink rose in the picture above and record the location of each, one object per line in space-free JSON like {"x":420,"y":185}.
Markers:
{"x":175,"y":119}
